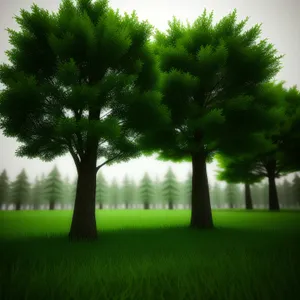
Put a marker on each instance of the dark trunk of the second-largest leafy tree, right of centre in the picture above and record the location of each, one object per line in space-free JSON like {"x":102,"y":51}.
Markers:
{"x":201,"y":216}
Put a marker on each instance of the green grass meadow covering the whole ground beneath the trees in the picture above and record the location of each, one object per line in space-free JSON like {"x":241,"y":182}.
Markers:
{"x":143,"y":255}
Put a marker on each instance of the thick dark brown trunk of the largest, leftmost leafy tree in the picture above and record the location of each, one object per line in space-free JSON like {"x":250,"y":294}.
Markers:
{"x":83,"y":225}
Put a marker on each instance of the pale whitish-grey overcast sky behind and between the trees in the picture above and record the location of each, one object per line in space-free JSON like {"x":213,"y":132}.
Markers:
{"x":281,"y":25}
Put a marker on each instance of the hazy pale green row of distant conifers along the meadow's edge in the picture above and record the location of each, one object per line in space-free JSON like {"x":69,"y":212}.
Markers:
{"x":54,"y":192}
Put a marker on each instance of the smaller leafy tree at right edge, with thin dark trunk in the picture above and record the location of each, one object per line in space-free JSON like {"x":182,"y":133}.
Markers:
{"x":274,"y":161}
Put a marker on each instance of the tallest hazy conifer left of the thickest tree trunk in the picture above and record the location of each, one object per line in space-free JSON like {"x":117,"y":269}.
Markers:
{"x":54,"y":188}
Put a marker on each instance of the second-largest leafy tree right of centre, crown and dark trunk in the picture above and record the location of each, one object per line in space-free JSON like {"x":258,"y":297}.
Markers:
{"x":209,"y":74}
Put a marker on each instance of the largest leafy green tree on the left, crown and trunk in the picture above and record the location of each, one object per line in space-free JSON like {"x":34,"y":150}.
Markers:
{"x":81,"y":82}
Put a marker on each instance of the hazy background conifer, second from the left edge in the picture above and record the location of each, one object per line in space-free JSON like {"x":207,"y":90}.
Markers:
{"x":20,"y":190}
